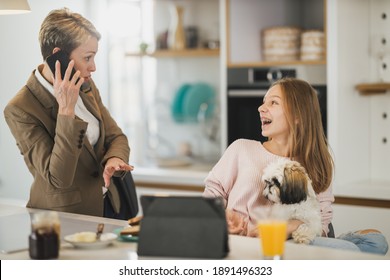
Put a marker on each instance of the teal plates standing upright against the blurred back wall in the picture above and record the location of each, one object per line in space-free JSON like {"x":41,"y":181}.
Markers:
{"x":193,"y":103}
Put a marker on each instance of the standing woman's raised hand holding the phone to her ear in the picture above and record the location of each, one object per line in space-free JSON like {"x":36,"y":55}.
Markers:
{"x":66,"y":91}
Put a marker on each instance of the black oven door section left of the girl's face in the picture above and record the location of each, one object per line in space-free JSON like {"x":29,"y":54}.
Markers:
{"x":243,"y":116}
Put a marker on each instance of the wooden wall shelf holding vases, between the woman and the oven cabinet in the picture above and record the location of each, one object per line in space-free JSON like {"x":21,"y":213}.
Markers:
{"x":178,"y":53}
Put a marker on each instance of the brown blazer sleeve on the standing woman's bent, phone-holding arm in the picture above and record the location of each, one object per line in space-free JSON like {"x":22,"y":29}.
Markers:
{"x":47,"y":153}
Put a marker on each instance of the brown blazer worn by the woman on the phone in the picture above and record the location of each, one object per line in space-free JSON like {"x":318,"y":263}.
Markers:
{"x":66,"y":169}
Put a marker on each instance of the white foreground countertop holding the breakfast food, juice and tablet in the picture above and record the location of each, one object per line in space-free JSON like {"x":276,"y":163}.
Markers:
{"x":244,"y":248}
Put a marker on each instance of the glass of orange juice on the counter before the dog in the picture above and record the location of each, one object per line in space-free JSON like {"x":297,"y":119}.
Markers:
{"x":272,"y":229}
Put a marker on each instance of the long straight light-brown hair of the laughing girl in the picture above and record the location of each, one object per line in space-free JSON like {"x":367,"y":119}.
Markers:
{"x":307,"y":142}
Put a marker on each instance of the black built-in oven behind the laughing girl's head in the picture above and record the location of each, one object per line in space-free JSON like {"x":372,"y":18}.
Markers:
{"x":246,"y":89}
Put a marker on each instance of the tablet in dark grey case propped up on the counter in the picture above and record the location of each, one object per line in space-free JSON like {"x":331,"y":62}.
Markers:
{"x":183,"y":226}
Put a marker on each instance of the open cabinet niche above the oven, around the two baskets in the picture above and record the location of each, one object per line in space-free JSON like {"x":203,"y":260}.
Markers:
{"x":247,"y":18}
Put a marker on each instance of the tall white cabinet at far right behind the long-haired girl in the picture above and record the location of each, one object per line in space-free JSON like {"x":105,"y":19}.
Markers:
{"x":358,"y":125}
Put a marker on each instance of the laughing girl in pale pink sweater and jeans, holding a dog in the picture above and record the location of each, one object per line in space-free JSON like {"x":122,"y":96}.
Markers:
{"x":291,"y":120}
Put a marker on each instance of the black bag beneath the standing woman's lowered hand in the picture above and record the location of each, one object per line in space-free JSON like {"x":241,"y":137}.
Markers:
{"x":127,"y":195}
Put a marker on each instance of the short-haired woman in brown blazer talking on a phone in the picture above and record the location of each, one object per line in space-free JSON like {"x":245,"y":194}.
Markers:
{"x":70,"y":143}
